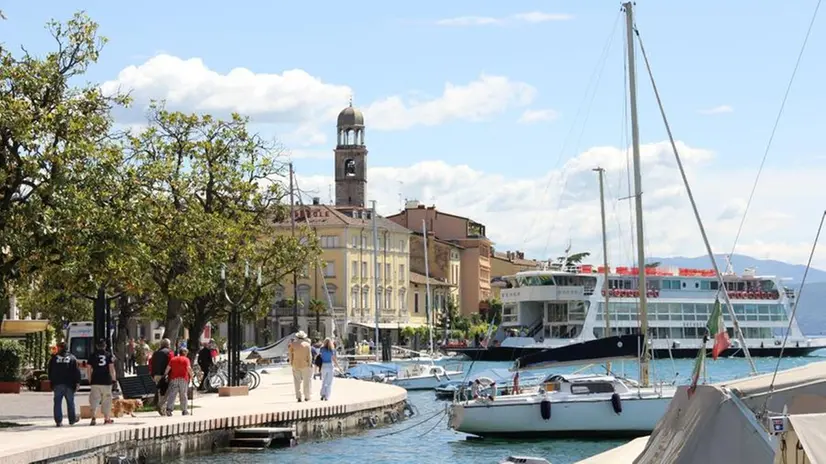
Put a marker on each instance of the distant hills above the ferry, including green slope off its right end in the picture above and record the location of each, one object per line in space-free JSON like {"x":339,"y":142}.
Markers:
{"x":811,"y":311}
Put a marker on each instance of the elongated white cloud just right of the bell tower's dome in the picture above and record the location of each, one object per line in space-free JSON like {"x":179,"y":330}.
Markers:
{"x":476,"y":101}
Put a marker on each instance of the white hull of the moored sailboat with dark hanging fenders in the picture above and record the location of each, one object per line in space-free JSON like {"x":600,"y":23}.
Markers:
{"x":520,"y":415}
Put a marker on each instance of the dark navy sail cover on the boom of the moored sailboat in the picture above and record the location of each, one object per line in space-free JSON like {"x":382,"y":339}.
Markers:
{"x":599,"y":350}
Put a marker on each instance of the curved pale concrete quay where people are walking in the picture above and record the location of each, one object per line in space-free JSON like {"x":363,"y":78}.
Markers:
{"x":355,"y":405}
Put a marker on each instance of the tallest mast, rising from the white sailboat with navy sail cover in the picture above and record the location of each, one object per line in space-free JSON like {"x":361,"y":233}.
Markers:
{"x":635,"y":144}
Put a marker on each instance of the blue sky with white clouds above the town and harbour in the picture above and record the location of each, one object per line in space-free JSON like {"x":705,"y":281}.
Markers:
{"x":499,"y":111}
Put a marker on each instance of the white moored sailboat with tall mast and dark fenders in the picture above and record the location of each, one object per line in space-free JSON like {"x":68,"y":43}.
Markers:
{"x":579,"y":405}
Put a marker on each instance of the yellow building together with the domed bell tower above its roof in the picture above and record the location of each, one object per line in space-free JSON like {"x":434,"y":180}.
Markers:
{"x":360,"y":283}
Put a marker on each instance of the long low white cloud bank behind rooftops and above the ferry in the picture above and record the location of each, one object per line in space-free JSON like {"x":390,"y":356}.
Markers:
{"x":535,"y":215}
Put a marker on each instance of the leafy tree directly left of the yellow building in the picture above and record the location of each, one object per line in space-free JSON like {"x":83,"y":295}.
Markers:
{"x":215,"y":189}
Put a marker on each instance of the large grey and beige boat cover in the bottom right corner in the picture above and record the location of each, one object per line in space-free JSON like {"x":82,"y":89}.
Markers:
{"x":712,"y":427}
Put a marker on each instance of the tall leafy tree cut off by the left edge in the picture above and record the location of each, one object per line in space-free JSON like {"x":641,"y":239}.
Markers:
{"x":51,"y":133}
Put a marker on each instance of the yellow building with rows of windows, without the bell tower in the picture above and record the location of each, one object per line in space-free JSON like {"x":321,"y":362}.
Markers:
{"x":345,"y":234}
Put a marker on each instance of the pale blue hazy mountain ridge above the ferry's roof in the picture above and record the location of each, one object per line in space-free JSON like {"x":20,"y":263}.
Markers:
{"x":740,"y":262}
